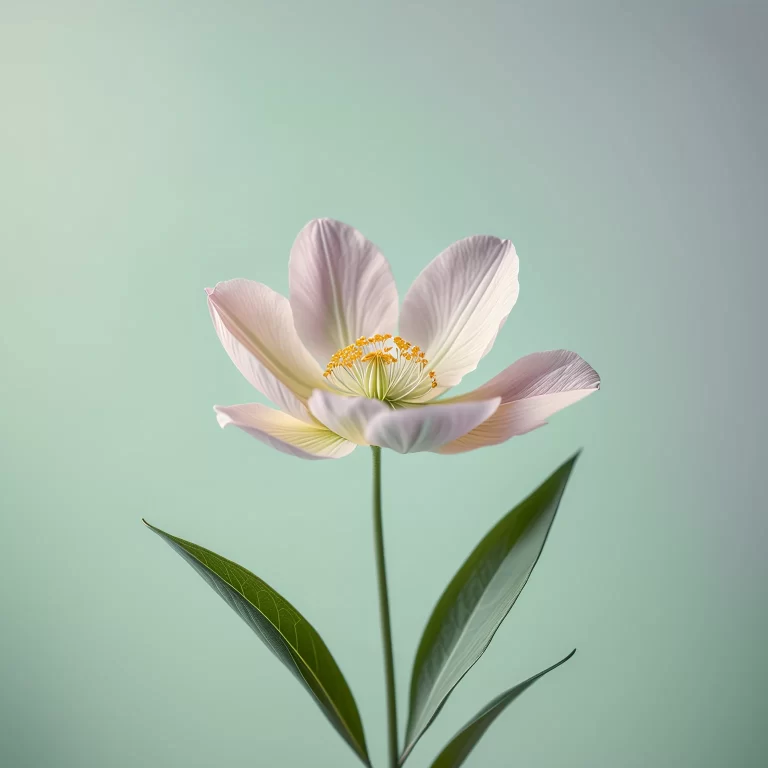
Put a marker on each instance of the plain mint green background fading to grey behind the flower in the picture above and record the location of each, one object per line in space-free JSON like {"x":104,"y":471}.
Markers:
{"x":152,"y":149}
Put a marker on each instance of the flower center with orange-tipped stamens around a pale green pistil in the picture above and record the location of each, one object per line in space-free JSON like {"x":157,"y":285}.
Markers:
{"x":381,"y":367}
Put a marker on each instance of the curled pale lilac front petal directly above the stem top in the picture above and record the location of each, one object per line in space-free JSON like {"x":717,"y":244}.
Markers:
{"x":427,"y":427}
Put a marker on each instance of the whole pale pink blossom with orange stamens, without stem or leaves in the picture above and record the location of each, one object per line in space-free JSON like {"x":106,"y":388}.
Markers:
{"x":329,"y":357}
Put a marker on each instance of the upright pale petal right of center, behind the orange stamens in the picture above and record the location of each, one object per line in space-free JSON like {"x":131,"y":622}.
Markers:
{"x":456,"y":306}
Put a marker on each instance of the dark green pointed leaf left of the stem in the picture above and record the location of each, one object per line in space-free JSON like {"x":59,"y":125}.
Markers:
{"x":284,"y":631}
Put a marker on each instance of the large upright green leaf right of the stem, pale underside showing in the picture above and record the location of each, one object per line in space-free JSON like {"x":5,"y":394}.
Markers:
{"x":476,"y":601}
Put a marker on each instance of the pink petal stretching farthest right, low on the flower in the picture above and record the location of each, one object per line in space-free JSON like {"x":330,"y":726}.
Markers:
{"x":531,"y":390}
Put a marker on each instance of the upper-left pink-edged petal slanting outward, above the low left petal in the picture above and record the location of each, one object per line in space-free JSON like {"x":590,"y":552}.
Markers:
{"x":255,"y":325}
